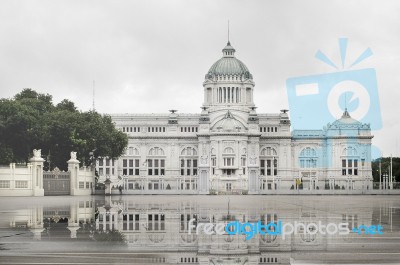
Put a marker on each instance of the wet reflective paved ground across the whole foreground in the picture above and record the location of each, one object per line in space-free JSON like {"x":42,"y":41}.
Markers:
{"x":158,"y":230}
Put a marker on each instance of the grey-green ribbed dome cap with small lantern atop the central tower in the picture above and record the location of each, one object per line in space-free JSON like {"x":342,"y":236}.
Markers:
{"x":229,"y":65}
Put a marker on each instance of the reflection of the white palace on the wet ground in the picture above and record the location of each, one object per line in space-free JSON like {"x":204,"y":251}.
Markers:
{"x":164,"y":226}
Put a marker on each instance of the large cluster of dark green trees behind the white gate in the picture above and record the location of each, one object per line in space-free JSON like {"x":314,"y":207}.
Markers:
{"x":30,"y":120}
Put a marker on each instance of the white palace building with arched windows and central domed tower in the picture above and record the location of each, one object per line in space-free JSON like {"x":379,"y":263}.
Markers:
{"x":230,"y":148}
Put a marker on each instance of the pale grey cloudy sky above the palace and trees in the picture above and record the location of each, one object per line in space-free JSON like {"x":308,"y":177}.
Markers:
{"x":151,"y":56}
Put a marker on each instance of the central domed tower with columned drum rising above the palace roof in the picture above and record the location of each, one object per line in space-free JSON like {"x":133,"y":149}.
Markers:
{"x":228,"y":83}
